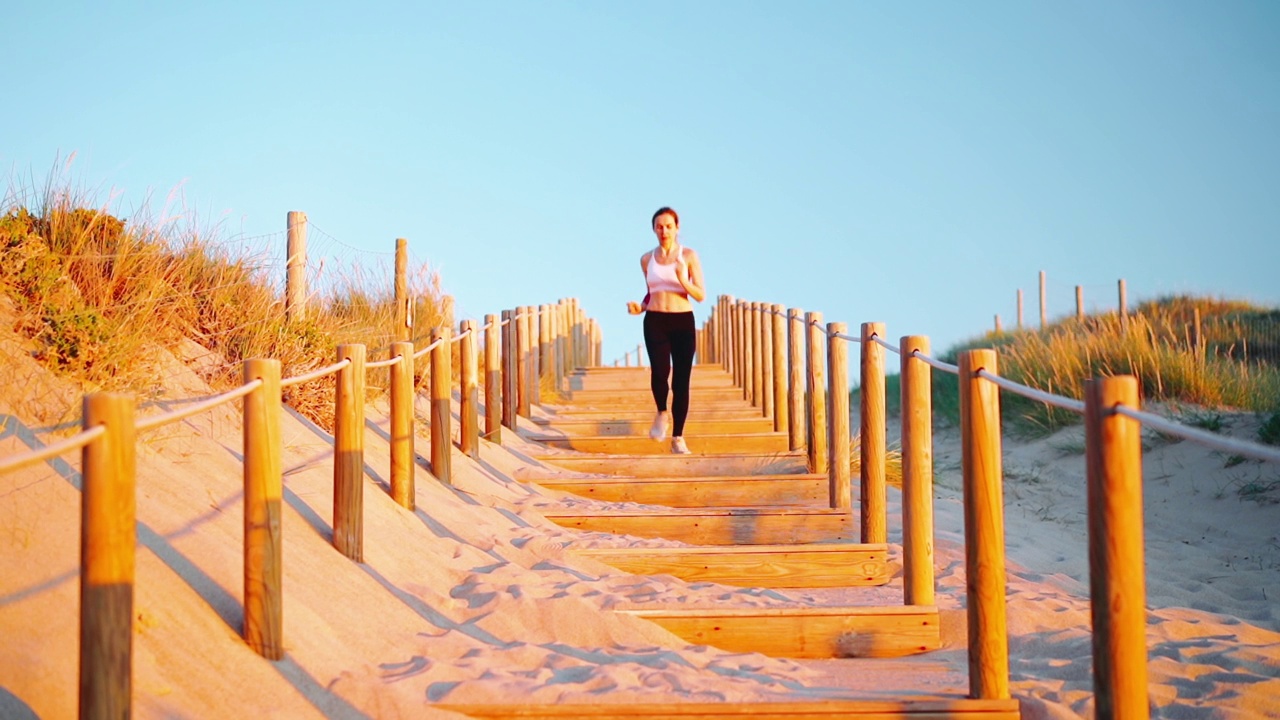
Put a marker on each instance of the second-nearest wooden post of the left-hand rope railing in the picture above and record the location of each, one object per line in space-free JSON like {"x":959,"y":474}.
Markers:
{"x":264,"y":490}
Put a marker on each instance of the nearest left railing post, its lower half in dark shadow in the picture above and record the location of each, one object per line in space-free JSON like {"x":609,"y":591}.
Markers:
{"x":108,"y":552}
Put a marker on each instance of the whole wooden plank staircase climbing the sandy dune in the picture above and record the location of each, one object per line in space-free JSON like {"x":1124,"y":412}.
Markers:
{"x":752,"y":516}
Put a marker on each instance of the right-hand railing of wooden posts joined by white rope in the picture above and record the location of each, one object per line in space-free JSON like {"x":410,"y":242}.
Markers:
{"x":739,"y":339}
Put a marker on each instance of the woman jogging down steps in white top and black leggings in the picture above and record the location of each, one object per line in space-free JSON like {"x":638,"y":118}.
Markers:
{"x":673,"y":275}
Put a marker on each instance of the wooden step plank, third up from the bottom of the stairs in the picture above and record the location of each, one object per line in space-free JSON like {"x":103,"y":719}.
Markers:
{"x":836,"y":566}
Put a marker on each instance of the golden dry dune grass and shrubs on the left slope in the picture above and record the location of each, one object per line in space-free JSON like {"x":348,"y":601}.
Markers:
{"x":95,"y":295}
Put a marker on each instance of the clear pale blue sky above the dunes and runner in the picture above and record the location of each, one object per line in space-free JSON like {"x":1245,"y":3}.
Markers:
{"x":911,"y":163}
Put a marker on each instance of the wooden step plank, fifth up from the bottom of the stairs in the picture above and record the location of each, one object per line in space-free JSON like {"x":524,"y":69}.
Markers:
{"x":729,"y":491}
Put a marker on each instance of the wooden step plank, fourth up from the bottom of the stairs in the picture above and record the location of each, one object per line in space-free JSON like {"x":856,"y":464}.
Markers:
{"x":732,"y":526}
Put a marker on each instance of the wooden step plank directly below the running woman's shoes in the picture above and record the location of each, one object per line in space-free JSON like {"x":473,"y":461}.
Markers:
{"x":683,"y":466}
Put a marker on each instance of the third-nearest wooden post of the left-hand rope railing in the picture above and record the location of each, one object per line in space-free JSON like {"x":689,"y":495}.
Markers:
{"x":349,"y":462}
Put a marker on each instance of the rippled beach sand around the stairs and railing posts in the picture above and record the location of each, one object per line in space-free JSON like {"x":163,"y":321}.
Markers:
{"x":474,"y":598}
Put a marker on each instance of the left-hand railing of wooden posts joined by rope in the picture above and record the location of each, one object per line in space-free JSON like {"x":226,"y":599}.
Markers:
{"x":108,"y":445}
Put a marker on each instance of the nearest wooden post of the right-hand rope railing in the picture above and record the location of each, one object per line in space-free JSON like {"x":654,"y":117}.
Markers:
{"x":1117,"y":564}
